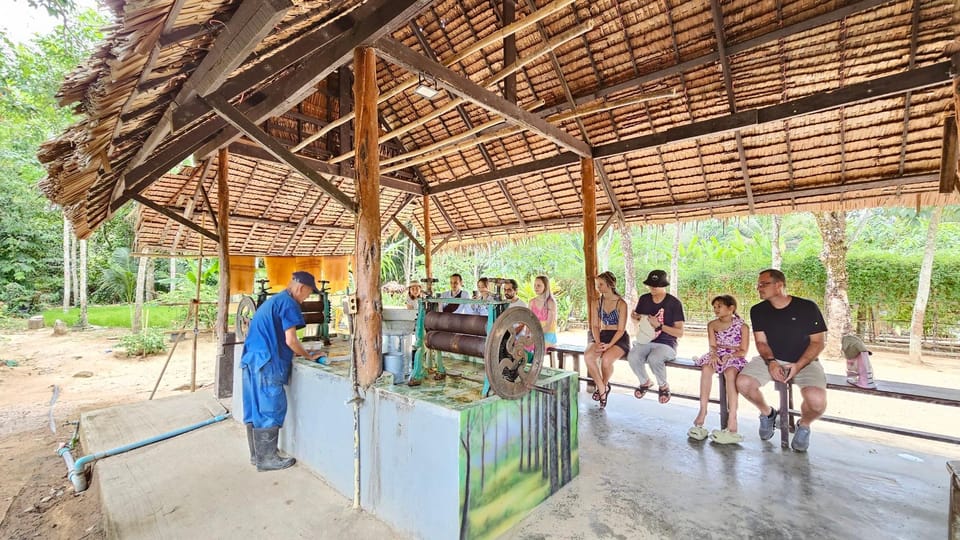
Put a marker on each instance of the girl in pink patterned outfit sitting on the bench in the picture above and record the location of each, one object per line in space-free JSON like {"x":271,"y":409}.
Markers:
{"x":729,"y":340}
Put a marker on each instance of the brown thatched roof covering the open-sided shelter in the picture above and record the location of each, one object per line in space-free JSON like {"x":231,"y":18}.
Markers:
{"x":689,"y":109}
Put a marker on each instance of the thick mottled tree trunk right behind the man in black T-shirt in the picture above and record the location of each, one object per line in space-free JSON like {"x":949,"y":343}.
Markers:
{"x":833,"y":229}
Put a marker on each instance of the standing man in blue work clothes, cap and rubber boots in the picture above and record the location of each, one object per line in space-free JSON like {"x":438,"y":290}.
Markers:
{"x":266,"y":362}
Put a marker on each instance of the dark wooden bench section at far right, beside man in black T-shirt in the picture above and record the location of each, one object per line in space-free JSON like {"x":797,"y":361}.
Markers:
{"x":887,"y":389}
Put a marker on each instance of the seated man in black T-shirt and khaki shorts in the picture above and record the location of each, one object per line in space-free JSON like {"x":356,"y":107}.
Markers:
{"x":789,"y":332}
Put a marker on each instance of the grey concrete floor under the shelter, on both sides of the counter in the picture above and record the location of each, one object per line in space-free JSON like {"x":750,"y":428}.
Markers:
{"x":640,"y":478}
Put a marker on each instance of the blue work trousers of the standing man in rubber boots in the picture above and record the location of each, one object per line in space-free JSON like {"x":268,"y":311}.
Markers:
{"x":264,"y":399}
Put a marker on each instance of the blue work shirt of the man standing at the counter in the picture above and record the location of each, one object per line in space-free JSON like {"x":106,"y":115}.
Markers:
{"x":266,"y":338}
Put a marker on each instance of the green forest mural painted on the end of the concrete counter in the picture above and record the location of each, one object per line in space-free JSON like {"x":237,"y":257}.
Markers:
{"x":514,"y":454}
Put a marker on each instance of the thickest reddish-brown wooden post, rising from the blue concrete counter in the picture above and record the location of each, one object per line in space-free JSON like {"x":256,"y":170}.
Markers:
{"x":367,"y":321}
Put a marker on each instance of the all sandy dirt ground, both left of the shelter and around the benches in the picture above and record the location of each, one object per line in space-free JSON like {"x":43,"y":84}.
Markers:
{"x":37,"y":500}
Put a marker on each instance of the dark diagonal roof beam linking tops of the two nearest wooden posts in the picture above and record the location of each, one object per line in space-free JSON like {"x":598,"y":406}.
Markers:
{"x":403,"y":56}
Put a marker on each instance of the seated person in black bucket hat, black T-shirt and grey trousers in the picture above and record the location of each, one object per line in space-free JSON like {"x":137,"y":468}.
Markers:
{"x":664,"y":312}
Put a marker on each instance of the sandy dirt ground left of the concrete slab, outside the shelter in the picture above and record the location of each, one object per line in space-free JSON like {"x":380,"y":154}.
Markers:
{"x":36,"y":499}
